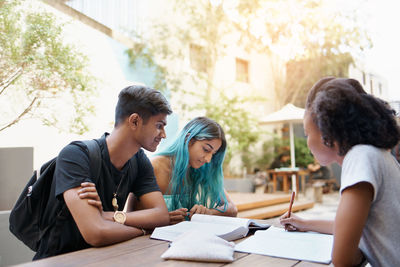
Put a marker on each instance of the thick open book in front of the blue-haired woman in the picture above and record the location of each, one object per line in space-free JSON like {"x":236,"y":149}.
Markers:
{"x":228,"y":228}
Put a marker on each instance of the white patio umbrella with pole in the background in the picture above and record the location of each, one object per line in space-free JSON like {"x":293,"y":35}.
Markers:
{"x":288,"y":114}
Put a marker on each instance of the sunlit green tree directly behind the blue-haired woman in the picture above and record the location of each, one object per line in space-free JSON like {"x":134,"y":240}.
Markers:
{"x":202,"y":27}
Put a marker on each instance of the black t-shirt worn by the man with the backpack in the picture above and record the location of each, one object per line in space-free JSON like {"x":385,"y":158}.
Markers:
{"x":73,"y":168}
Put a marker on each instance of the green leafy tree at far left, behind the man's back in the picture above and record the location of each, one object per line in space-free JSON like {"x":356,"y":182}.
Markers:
{"x":38,"y":70}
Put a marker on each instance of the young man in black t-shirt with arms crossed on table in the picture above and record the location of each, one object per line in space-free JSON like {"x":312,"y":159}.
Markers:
{"x":124,"y":168}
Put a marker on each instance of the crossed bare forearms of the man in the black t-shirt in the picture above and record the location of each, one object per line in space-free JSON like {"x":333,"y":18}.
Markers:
{"x":98,"y":227}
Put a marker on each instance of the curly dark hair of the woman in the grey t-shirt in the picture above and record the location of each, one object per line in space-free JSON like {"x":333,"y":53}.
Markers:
{"x":346,"y":114}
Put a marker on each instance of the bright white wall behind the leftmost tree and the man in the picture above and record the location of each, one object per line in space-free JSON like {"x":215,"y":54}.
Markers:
{"x":104,"y":65}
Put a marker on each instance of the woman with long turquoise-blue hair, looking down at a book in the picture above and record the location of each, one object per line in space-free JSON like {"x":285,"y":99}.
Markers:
{"x":189,"y":172}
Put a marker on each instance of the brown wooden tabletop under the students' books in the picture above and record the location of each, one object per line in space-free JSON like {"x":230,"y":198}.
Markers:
{"x":143,"y":251}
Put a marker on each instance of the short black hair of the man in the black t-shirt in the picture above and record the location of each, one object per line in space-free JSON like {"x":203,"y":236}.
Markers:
{"x":142,"y":100}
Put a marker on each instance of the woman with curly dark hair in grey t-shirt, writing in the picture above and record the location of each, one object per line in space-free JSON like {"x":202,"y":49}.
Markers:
{"x":346,"y":125}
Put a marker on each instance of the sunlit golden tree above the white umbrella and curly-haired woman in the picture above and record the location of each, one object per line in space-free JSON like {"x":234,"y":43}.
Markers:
{"x":307,"y":39}
